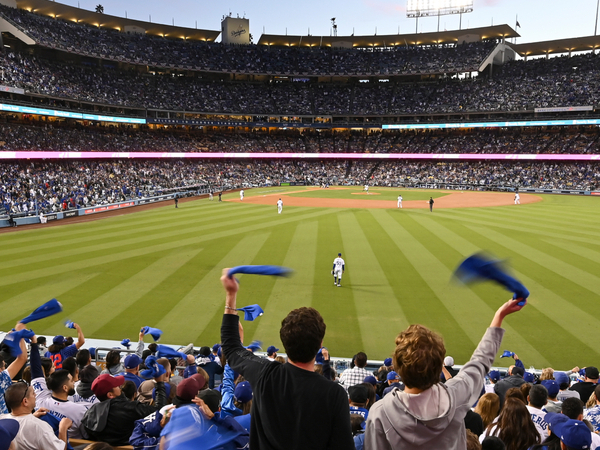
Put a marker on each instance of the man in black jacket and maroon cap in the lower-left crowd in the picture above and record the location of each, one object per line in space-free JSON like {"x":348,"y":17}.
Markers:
{"x":113,"y":419}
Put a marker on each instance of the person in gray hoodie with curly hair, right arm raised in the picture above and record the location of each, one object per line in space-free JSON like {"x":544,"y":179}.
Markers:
{"x":429,"y":414}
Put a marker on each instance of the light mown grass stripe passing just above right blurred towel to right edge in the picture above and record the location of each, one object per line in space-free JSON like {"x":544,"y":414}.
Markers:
{"x":583,"y":278}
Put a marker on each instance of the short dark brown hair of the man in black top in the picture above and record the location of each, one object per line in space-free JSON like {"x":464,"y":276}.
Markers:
{"x":302,"y":332}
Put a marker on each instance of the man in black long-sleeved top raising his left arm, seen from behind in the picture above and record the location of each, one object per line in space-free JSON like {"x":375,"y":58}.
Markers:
{"x":293,"y":407}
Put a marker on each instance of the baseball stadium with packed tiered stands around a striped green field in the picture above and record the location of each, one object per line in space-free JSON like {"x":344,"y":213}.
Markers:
{"x":139,"y":160}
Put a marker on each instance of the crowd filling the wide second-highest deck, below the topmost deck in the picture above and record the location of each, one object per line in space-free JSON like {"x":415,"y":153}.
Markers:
{"x":517,"y":86}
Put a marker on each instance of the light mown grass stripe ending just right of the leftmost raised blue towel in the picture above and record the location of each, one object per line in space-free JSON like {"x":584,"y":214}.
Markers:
{"x":101,"y":310}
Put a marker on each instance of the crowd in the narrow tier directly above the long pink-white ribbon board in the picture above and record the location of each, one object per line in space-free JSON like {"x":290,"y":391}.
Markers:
{"x":54,"y":136}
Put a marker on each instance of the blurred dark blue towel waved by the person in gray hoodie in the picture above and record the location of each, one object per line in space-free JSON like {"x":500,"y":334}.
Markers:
{"x":478,"y":267}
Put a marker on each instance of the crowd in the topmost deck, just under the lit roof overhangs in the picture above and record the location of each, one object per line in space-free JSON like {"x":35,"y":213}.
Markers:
{"x":160,"y":52}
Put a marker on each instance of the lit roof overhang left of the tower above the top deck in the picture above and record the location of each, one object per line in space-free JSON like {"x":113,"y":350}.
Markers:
{"x":70,"y":13}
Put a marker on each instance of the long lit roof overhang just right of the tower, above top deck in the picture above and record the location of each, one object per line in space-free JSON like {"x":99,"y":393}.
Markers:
{"x":392,"y":40}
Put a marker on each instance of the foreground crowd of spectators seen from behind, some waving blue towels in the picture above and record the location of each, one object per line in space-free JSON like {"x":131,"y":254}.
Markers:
{"x":231,"y":398}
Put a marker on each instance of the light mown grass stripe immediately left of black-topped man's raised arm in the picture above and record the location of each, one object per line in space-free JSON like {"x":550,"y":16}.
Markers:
{"x":189,"y":317}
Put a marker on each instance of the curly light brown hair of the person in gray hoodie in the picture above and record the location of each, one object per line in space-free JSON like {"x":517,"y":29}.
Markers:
{"x":419,"y":357}
